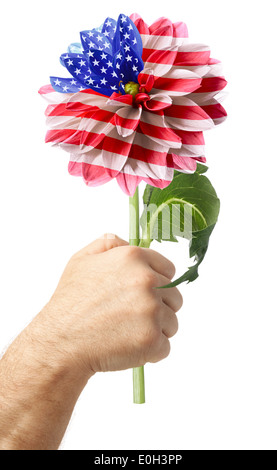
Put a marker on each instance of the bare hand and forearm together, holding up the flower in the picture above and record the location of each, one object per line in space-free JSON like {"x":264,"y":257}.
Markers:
{"x":105,"y":315}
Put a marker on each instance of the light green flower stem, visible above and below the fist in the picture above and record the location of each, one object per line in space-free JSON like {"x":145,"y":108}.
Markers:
{"x":134,"y":240}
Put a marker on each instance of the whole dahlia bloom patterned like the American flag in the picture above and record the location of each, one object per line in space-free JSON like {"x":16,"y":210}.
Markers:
{"x":137,"y":103}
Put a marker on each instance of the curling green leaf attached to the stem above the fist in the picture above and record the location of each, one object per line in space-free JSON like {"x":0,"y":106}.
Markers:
{"x":187,"y":208}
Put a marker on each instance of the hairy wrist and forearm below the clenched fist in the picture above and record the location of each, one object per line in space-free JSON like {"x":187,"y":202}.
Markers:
{"x":39,"y":389}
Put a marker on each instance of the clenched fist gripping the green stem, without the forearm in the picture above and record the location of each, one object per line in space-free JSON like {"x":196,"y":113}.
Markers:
{"x":106,"y":314}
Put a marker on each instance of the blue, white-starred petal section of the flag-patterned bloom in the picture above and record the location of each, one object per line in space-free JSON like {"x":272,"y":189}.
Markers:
{"x":94,"y":64}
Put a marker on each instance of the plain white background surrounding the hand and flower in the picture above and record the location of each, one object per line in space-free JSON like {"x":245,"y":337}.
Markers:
{"x":218,"y":388}
